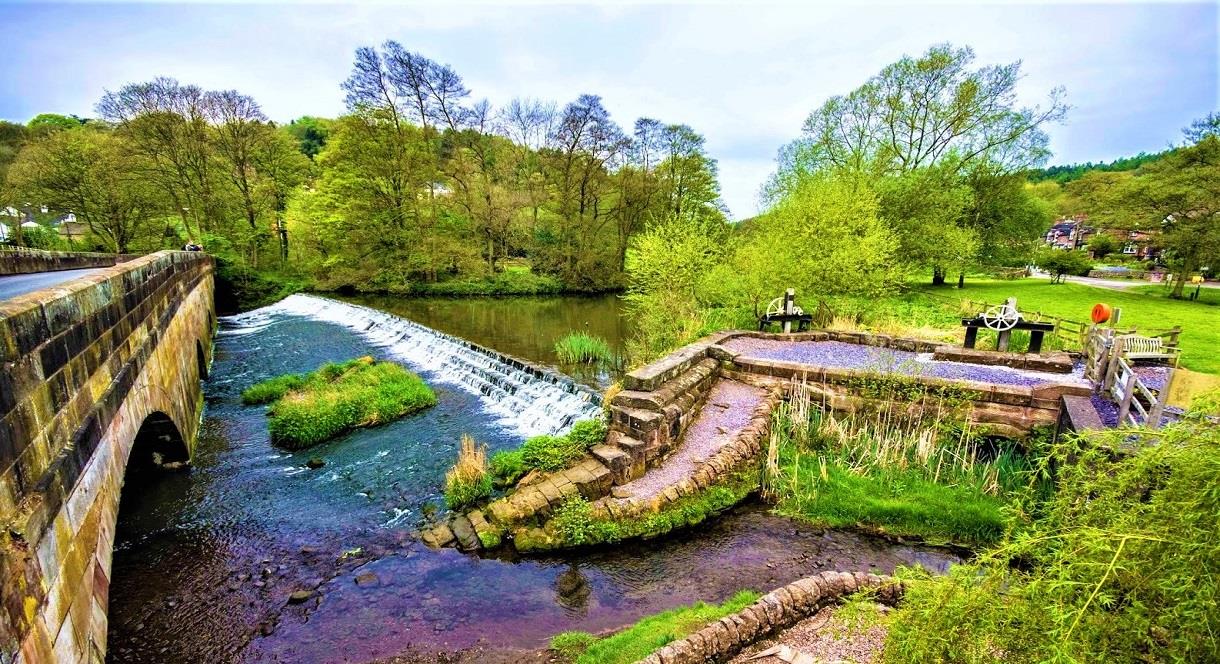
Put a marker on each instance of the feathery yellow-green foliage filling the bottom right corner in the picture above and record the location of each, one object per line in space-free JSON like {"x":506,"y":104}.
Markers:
{"x":1123,"y":566}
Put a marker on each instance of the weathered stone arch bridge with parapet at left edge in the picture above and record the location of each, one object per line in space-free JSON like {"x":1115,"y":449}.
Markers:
{"x":101,"y":381}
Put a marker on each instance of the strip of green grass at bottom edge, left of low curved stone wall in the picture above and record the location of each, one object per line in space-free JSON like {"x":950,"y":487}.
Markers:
{"x":650,"y":634}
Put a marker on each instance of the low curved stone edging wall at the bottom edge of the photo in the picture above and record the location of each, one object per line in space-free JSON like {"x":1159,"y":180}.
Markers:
{"x":775,"y":611}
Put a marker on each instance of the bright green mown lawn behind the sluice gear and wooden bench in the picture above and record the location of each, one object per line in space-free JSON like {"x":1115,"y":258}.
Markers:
{"x":1145,"y":309}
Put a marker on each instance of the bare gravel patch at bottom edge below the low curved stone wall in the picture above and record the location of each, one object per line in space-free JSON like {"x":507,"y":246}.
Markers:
{"x":825,"y":639}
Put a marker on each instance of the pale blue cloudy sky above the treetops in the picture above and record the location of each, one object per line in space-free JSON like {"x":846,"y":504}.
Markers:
{"x":744,"y":75}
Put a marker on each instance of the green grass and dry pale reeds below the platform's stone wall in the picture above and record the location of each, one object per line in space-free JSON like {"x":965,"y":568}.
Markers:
{"x":901,"y":469}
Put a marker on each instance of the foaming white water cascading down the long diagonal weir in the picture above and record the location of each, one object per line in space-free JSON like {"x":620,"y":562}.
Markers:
{"x":528,"y":399}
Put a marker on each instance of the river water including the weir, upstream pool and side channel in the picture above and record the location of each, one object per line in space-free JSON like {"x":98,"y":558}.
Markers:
{"x":206,"y":562}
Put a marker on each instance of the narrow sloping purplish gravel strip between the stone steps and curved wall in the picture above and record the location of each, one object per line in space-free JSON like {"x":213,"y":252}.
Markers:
{"x":727,"y":412}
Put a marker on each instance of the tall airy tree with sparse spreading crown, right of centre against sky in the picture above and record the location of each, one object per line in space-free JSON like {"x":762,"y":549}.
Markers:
{"x":934,"y":113}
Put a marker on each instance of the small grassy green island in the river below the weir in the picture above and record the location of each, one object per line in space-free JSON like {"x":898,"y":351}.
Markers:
{"x":310,"y":408}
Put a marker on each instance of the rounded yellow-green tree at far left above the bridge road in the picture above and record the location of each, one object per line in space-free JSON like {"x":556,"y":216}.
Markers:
{"x":93,"y":174}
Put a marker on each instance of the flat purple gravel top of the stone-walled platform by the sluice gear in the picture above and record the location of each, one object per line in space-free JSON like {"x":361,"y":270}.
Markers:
{"x":850,"y":356}
